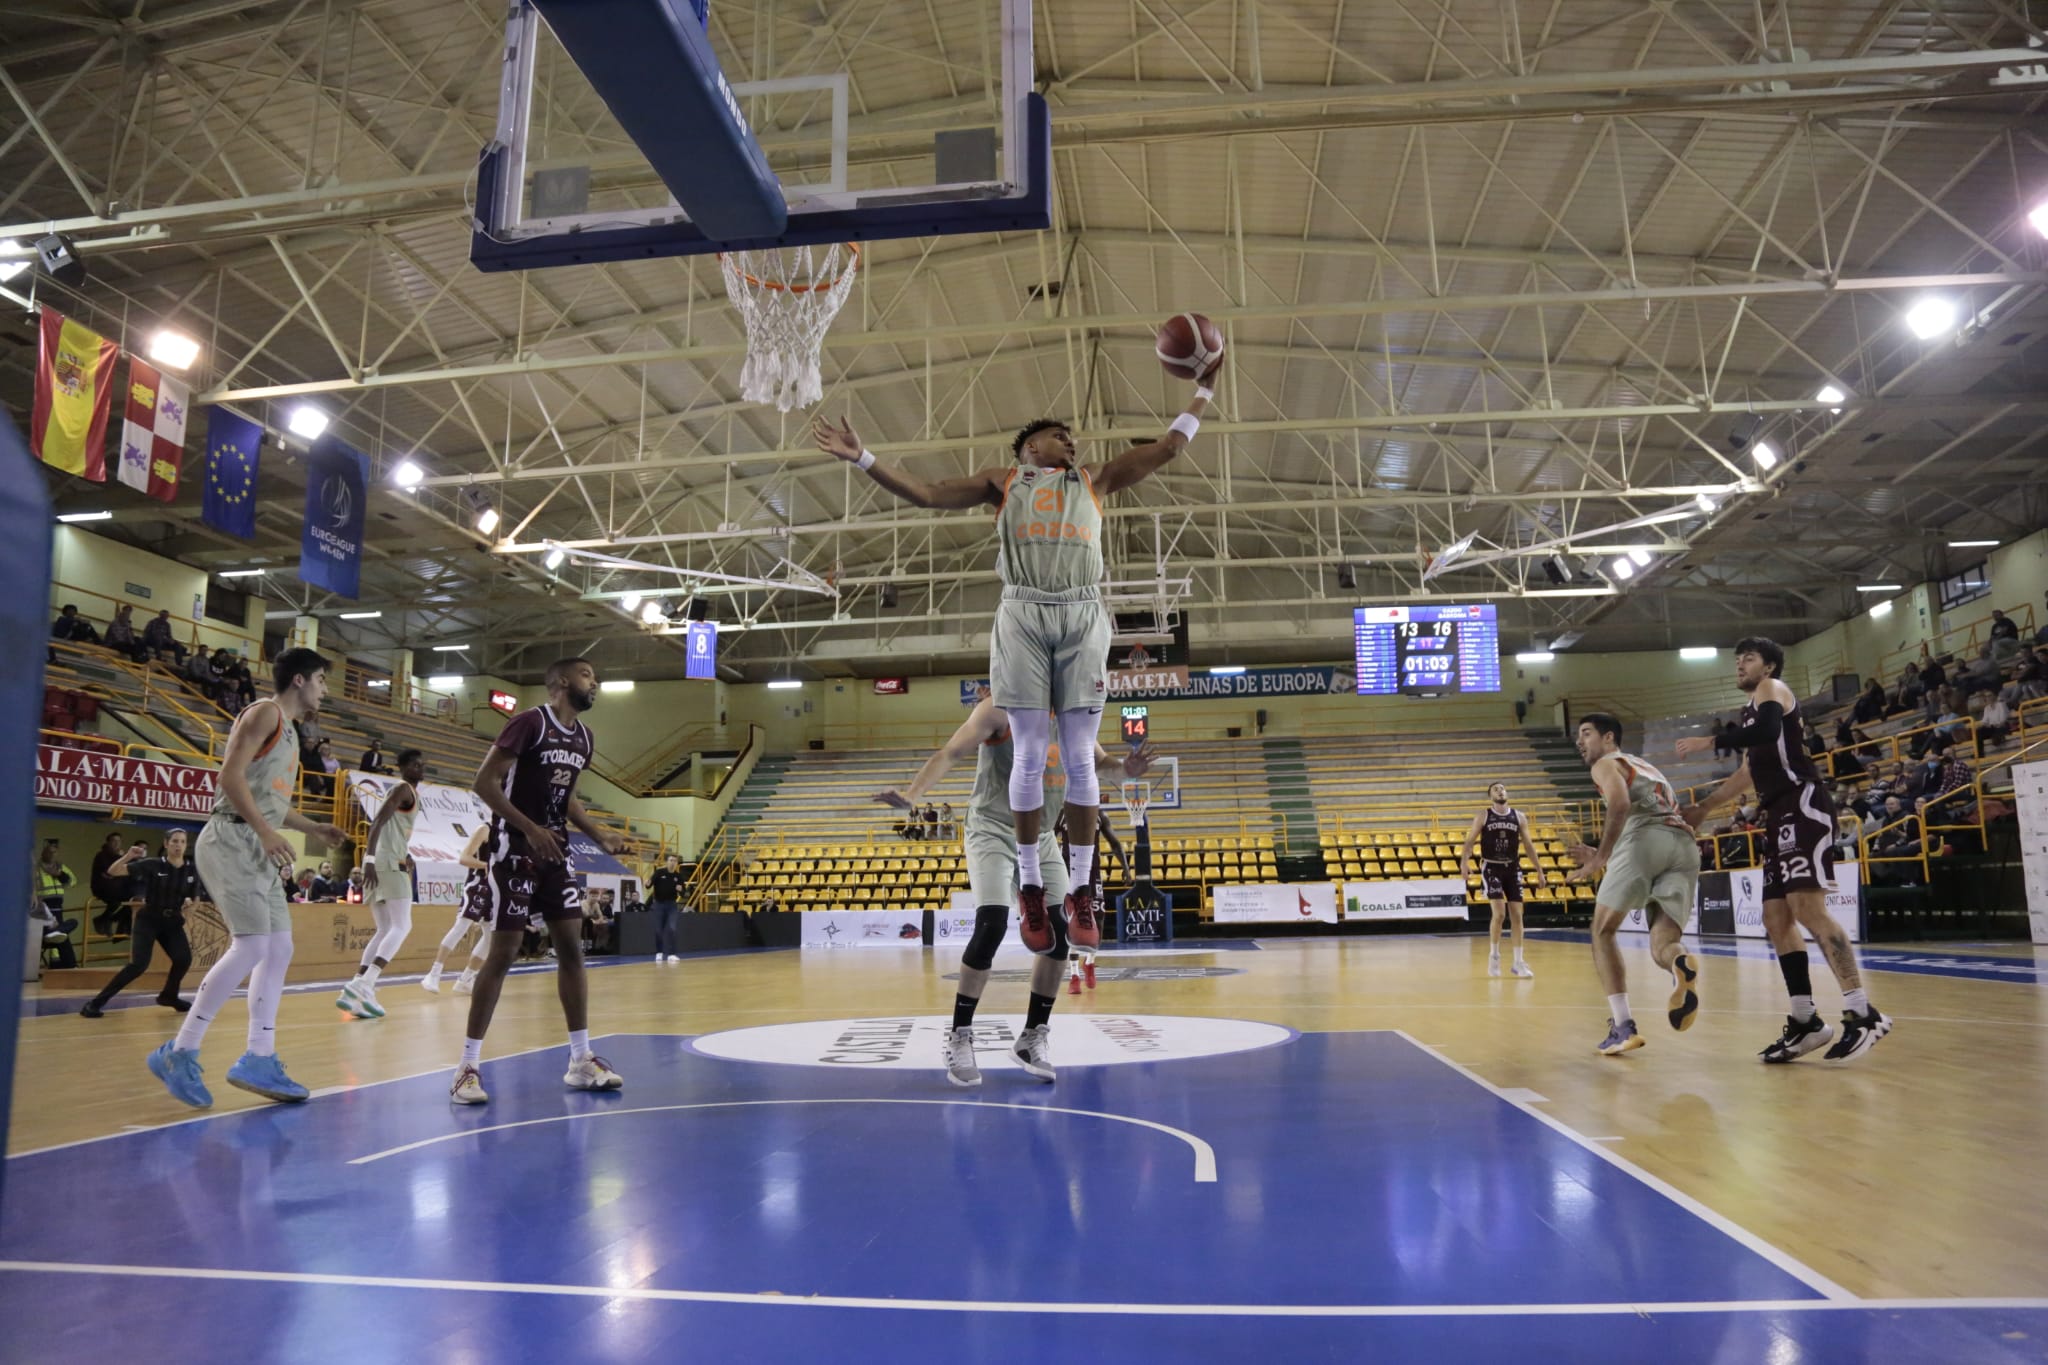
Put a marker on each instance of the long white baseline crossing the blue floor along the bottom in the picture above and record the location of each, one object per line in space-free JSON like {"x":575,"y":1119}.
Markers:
{"x":1002,"y":1307}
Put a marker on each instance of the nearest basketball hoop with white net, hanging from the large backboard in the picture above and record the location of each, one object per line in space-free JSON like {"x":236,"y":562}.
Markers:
{"x":787,"y":298}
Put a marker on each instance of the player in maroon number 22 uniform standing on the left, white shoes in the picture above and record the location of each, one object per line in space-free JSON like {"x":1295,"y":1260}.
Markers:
{"x":529,"y":783}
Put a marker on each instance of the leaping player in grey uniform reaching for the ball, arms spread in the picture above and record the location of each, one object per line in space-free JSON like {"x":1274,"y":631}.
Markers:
{"x":1052,"y":640}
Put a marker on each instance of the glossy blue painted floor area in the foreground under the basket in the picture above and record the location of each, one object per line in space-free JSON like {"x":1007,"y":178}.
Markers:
{"x":1355,"y":1172}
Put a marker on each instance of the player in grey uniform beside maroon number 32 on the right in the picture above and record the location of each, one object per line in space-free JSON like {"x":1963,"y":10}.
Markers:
{"x":1652,"y":865}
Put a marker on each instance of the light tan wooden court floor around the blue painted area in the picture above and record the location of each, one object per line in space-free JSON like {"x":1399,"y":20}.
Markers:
{"x":1920,"y":1172}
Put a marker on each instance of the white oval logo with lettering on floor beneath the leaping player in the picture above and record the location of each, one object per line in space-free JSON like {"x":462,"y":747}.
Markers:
{"x":912,"y":1043}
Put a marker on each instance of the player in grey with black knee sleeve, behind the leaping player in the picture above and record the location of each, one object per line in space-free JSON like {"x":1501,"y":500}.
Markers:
{"x":992,"y":871}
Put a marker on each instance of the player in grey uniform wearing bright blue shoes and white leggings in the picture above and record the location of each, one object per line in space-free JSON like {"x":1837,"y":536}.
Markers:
{"x":239,"y":856}
